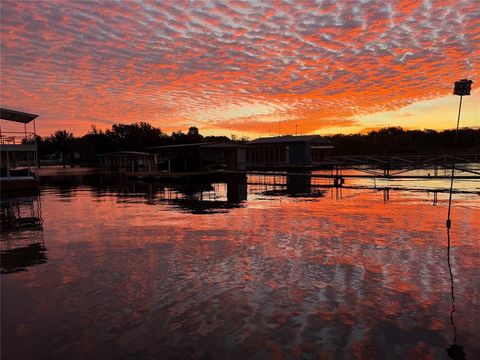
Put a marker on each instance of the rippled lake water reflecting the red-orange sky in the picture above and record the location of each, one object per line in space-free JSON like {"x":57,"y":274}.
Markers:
{"x":218,"y":271}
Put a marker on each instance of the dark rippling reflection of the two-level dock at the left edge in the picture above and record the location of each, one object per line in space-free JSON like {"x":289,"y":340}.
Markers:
{"x":22,"y":243}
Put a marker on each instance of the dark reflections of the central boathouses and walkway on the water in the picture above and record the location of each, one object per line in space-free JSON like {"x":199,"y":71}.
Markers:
{"x":222,"y":191}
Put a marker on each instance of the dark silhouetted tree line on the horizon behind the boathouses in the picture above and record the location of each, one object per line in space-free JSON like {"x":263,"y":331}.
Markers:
{"x":64,"y":146}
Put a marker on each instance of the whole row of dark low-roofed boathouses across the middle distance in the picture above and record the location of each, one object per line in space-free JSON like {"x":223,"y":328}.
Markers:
{"x":272,"y":152}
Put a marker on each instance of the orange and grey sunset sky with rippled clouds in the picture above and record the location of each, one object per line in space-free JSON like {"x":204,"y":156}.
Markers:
{"x":240,"y":67}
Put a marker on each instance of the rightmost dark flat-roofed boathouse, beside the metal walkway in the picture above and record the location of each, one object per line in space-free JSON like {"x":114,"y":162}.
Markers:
{"x":287,"y":151}
